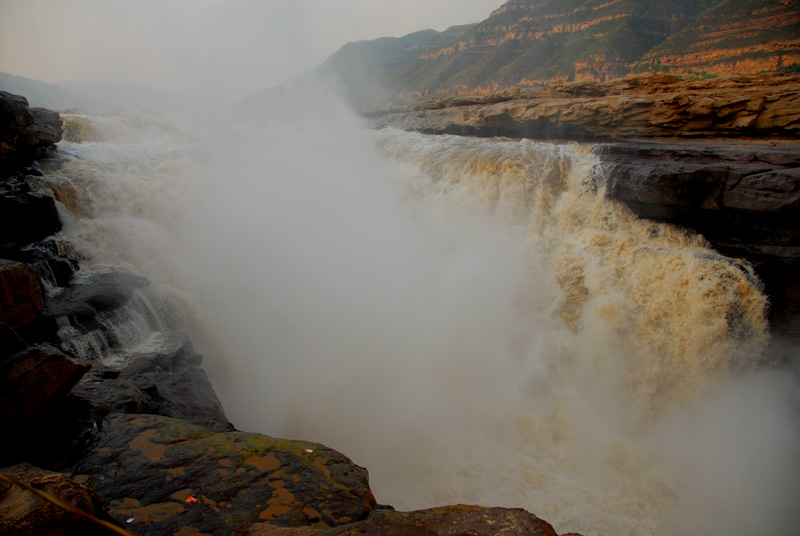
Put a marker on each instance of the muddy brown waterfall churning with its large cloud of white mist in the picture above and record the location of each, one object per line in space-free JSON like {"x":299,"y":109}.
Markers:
{"x":470,"y":319}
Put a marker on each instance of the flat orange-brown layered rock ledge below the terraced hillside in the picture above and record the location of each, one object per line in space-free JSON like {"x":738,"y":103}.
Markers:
{"x":650,"y":106}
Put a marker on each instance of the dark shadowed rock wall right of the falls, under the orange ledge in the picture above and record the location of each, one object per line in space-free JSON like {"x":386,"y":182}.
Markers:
{"x":754,"y":187}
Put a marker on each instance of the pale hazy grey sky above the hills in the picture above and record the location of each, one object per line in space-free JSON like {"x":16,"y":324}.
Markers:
{"x":204,"y":46}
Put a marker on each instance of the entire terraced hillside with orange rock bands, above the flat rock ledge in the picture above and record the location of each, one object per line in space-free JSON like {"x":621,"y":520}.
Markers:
{"x":533,"y":42}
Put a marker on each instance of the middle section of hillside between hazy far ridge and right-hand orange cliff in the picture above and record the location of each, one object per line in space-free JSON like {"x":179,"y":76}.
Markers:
{"x":529,"y":41}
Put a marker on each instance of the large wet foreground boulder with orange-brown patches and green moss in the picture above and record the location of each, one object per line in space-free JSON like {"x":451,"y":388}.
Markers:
{"x":169,"y":476}
